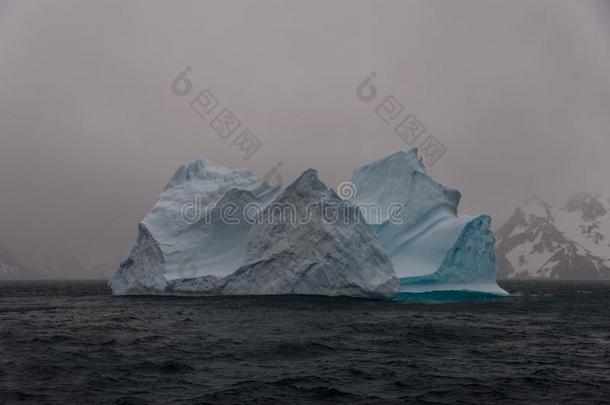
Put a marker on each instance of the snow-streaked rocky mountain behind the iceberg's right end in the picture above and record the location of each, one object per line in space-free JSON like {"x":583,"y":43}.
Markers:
{"x":572,"y":242}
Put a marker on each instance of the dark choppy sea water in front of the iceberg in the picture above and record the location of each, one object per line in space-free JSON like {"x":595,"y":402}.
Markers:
{"x":71,"y":343}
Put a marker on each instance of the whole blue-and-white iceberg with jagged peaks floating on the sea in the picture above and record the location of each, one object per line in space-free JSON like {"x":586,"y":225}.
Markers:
{"x":202,"y":236}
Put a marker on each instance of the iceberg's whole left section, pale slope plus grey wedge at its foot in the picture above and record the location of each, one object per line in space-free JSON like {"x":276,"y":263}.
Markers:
{"x":175,"y":243}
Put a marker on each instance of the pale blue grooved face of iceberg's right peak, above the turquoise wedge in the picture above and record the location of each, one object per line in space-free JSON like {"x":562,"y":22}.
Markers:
{"x":428,"y":226}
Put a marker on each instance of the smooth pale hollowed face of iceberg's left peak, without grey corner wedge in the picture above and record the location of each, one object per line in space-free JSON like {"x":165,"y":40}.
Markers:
{"x":205,"y":245}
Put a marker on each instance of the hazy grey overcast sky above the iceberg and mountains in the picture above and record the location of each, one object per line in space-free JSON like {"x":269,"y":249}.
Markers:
{"x":90,"y":130}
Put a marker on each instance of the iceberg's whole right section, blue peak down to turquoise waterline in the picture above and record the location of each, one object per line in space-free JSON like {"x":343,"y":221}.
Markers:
{"x":432,"y":248}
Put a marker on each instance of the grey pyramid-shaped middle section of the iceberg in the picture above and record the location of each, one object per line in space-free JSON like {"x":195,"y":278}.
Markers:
{"x":313,"y":254}
